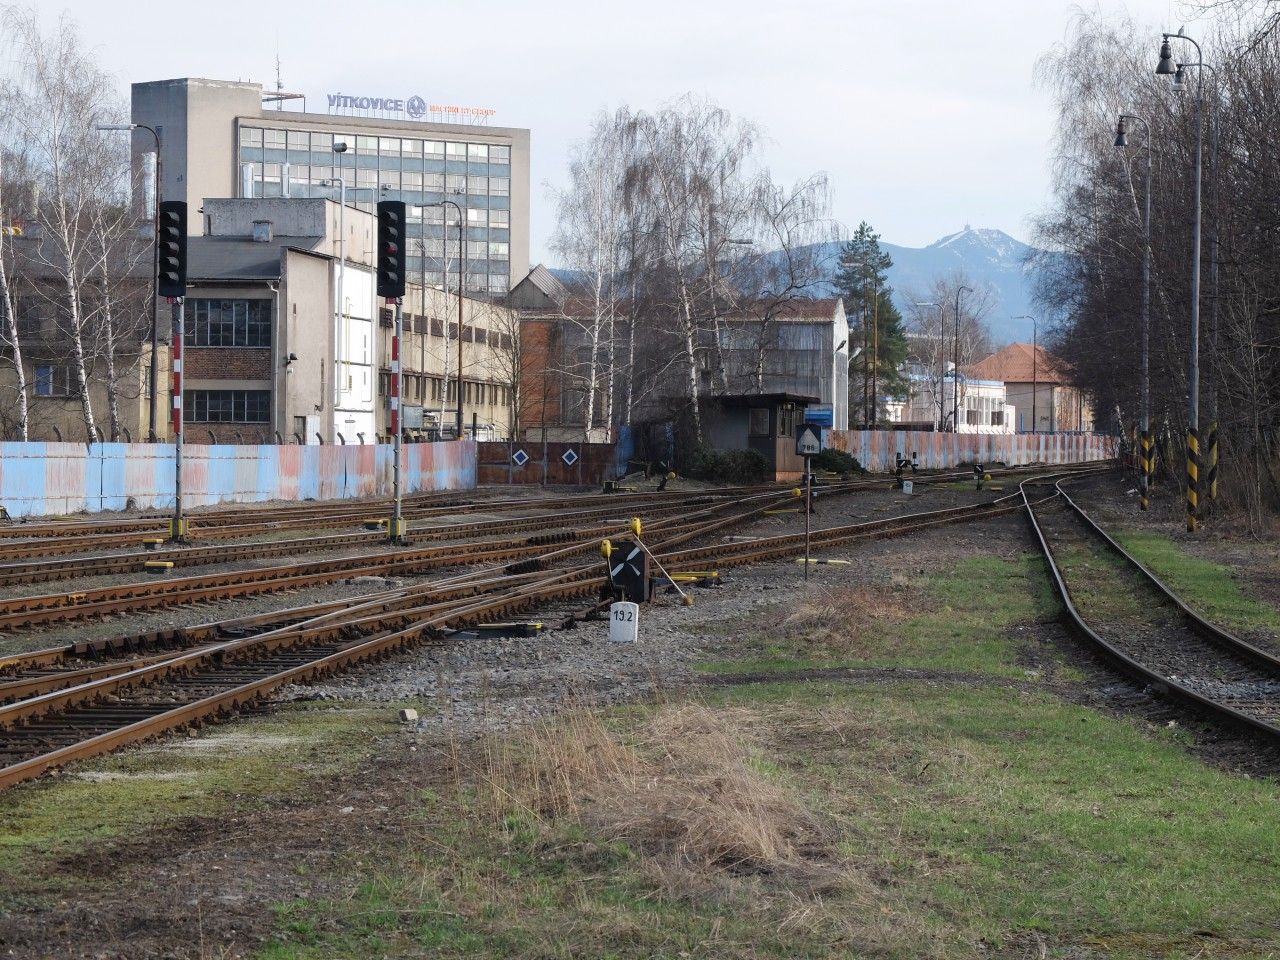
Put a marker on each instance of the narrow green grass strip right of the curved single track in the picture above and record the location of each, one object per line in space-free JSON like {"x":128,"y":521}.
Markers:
{"x":1208,"y":587}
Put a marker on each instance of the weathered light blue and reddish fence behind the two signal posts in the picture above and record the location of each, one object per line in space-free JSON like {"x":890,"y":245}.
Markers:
{"x":40,"y":479}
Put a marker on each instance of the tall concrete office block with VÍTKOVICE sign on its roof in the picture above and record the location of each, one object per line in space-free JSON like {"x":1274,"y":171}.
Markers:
{"x":222,"y":139}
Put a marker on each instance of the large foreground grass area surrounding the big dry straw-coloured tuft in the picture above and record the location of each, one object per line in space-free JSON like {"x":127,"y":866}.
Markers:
{"x":967,"y":822}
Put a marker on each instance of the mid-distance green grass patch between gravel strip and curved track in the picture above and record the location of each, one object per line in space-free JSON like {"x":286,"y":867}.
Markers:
{"x":953,"y":620}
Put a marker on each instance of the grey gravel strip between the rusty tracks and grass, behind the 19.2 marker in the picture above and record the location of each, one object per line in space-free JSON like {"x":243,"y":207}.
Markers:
{"x":496,"y":682}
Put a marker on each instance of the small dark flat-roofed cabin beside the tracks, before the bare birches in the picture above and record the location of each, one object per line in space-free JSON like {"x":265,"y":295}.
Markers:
{"x":760,"y":422}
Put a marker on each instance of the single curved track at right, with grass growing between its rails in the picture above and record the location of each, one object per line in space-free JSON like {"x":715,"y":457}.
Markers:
{"x":1148,"y":630}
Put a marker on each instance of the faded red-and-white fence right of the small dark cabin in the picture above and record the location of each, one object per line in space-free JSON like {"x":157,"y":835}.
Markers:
{"x":877,"y":450}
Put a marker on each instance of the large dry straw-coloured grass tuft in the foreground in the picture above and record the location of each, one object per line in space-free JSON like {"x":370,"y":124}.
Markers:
{"x":683,"y":790}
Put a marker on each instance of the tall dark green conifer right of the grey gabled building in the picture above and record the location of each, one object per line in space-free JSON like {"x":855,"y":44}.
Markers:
{"x":875,"y":324}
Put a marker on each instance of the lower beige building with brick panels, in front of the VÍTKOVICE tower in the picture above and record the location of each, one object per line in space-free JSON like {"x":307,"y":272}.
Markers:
{"x":269,"y":358}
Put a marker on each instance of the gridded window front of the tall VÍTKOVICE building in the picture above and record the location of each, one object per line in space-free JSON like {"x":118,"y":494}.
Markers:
{"x":420,"y":172}
